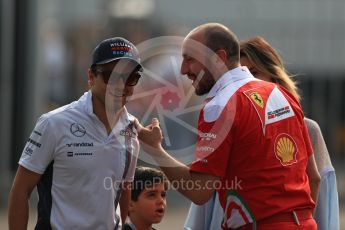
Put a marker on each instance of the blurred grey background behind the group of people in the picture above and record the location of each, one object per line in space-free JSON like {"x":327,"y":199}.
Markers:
{"x":46,"y":47}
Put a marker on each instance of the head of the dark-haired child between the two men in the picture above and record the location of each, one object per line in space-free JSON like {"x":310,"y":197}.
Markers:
{"x":148,"y":199}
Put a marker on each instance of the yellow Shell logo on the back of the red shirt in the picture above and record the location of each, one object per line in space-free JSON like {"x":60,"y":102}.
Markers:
{"x":285,"y":149}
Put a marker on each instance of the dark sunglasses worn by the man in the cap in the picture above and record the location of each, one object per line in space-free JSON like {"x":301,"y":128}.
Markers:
{"x":110,"y":77}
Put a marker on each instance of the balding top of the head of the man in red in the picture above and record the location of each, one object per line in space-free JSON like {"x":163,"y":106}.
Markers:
{"x":216,"y":36}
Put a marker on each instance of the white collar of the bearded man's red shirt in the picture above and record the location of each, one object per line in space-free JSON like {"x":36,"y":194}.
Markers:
{"x":237,"y":74}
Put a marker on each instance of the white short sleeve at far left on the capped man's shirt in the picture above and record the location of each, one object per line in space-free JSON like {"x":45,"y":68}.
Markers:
{"x":40,"y":147}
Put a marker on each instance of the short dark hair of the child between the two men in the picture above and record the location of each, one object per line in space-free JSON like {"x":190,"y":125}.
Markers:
{"x":146,"y":177}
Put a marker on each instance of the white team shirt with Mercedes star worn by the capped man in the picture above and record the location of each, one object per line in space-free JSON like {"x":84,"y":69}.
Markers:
{"x":81,"y":166}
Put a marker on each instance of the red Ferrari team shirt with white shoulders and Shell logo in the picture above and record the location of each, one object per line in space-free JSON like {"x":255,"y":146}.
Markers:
{"x":253,"y":137}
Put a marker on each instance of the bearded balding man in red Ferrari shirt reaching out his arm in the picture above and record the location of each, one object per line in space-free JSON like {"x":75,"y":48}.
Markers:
{"x":253,"y":147}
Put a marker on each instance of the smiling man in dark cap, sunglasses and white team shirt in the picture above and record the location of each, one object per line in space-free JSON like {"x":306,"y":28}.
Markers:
{"x":82,"y":156}
